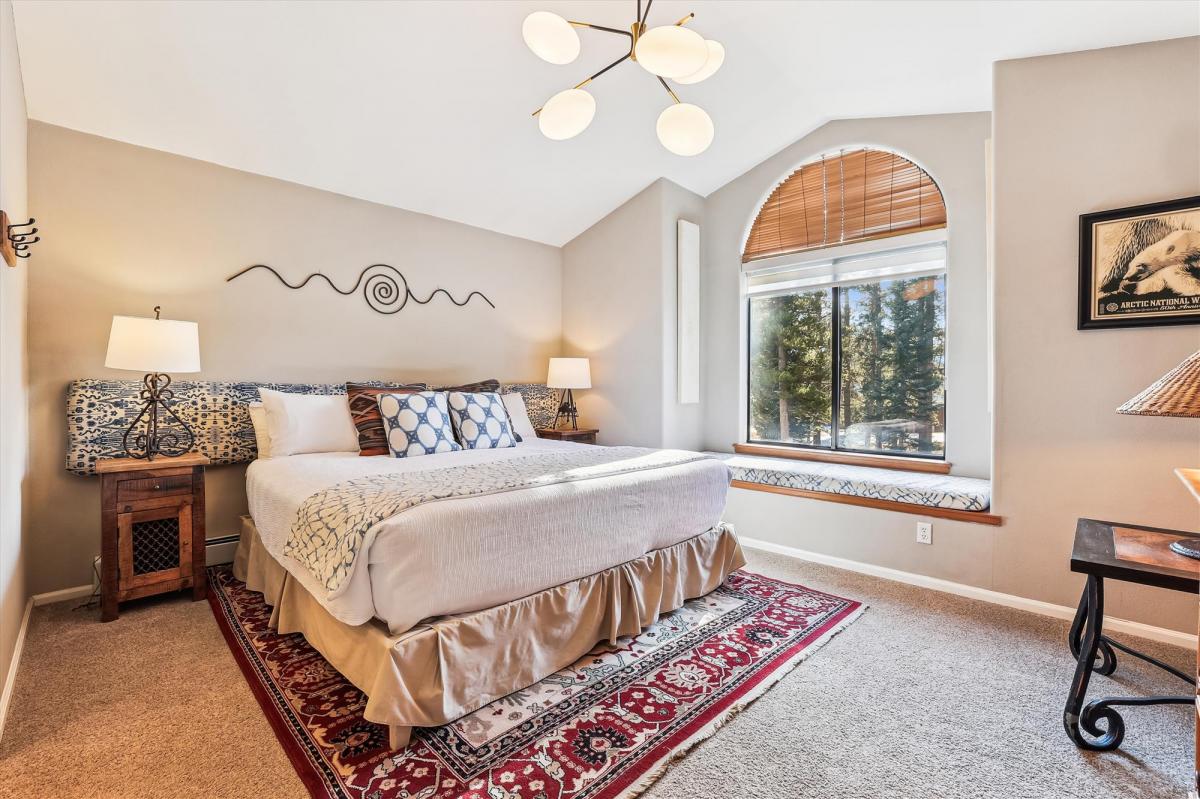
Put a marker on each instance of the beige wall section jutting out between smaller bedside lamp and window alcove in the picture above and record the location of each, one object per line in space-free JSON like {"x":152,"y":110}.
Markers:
{"x":620,"y":310}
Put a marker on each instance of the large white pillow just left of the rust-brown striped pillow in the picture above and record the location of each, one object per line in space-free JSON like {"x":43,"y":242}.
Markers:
{"x":309,"y":423}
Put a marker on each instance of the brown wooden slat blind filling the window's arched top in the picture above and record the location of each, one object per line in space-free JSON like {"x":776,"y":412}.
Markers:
{"x":851,"y":196}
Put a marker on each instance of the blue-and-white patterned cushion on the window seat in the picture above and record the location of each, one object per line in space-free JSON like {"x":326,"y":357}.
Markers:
{"x":892,"y":485}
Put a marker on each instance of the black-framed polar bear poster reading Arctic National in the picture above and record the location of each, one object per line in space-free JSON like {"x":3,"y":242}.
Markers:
{"x":1141,"y":266}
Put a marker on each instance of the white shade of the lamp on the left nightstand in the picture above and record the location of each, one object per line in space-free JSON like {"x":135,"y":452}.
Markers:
{"x":142,"y":345}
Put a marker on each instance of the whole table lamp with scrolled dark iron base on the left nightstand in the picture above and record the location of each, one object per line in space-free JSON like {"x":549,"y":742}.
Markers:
{"x":155,"y":347}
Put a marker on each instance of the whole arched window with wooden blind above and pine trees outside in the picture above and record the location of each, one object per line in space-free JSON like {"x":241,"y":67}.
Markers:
{"x":845,"y":272}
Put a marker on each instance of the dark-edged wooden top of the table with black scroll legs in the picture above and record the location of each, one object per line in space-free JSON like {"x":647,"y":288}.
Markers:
{"x":1135,"y":554}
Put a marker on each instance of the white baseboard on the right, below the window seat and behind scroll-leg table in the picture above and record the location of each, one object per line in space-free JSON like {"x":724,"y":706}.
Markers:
{"x":1112,"y":624}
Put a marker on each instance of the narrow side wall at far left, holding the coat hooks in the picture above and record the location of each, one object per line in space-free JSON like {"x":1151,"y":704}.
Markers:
{"x":14,"y":379}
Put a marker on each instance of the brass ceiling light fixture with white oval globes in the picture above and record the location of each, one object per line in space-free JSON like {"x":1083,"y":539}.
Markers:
{"x":668,"y":52}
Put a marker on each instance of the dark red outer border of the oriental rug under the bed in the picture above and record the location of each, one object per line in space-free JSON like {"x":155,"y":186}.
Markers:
{"x":657,"y":761}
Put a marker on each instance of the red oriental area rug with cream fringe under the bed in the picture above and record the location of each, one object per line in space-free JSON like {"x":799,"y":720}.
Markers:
{"x":603,"y":729}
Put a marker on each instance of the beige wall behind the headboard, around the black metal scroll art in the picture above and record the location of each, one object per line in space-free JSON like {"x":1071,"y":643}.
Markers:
{"x":128,"y":229}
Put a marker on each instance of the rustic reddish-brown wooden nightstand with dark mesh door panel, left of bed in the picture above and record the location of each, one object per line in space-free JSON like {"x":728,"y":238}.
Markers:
{"x":152,"y":528}
